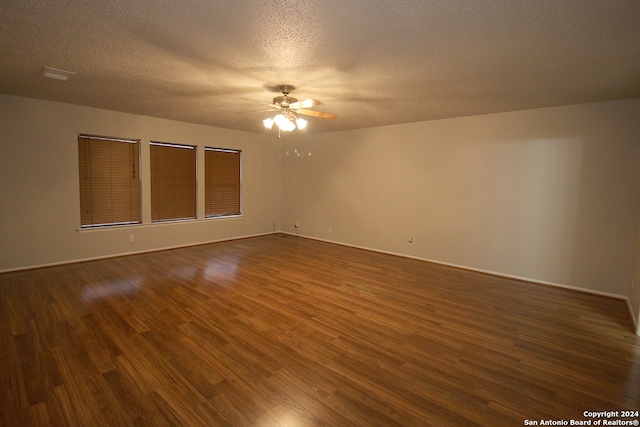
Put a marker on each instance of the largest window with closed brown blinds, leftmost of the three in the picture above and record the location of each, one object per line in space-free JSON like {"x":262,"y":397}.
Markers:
{"x":109,"y":181}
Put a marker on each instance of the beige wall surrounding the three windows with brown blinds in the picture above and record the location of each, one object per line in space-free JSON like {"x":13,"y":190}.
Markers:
{"x":39,"y":210}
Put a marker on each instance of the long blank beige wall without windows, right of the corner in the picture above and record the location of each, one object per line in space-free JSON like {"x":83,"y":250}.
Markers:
{"x":547,"y":194}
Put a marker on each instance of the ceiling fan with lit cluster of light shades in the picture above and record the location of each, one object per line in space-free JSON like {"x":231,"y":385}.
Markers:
{"x":289,"y":108}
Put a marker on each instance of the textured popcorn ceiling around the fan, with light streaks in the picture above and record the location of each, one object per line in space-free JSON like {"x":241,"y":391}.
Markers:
{"x":371,"y":62}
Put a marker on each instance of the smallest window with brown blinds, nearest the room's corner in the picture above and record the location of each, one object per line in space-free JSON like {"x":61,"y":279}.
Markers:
{"x":222,"y":182}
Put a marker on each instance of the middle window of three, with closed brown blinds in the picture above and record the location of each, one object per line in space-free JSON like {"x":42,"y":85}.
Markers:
{"x":173,"y":182}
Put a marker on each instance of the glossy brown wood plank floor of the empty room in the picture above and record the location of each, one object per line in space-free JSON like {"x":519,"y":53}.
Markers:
{"x":286,"y":331}
